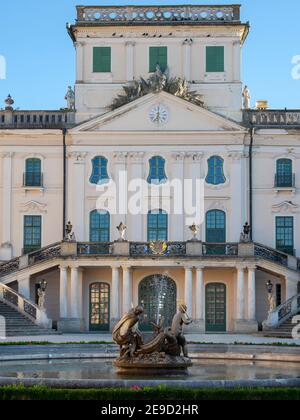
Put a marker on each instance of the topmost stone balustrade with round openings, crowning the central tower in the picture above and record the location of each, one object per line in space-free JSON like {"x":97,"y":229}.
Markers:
{"x":153,"y":14}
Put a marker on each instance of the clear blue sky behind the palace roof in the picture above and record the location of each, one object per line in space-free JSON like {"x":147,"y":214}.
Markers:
{"x":40,"y":57}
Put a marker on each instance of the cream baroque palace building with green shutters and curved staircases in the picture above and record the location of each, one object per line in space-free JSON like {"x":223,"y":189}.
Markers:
{"x":184,"y":115}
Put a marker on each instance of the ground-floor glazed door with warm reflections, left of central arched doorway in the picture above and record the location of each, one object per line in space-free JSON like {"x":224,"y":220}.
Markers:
{"x":99,"y":307}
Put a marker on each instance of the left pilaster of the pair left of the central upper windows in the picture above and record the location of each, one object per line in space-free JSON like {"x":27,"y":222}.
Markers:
{"x":121,"y":180}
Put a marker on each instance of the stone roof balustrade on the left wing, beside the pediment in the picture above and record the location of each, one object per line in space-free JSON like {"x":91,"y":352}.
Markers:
{"x":16,"y":119}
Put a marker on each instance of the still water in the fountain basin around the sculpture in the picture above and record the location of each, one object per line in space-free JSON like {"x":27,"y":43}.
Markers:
{"x":103,"y":369}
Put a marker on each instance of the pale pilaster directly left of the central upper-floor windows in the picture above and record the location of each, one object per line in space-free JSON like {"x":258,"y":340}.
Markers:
{"x":135,"y":229}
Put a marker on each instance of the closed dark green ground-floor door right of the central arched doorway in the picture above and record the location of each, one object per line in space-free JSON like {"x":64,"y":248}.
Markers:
{"x":215,"y":307}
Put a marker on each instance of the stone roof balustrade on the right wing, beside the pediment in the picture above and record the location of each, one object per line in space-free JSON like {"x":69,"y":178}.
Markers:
{"x":272,"y":118}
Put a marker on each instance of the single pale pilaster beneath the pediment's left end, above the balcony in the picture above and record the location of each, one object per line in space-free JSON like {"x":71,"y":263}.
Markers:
{"x":77,"y":178}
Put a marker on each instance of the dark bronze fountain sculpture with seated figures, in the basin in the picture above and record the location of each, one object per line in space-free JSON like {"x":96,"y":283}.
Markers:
{"x":166,"y":351}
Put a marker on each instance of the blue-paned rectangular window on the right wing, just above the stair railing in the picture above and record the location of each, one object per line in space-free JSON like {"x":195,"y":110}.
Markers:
{"x":285,"y":234}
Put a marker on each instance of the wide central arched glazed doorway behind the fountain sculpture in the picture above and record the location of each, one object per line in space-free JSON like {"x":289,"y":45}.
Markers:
{"x":157,"y":294}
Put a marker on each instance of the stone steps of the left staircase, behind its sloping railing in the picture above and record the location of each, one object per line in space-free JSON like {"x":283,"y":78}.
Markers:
{"x":19,"y":325}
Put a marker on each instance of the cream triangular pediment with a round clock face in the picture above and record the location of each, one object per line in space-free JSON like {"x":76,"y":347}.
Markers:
{"x":178,"y":115}
